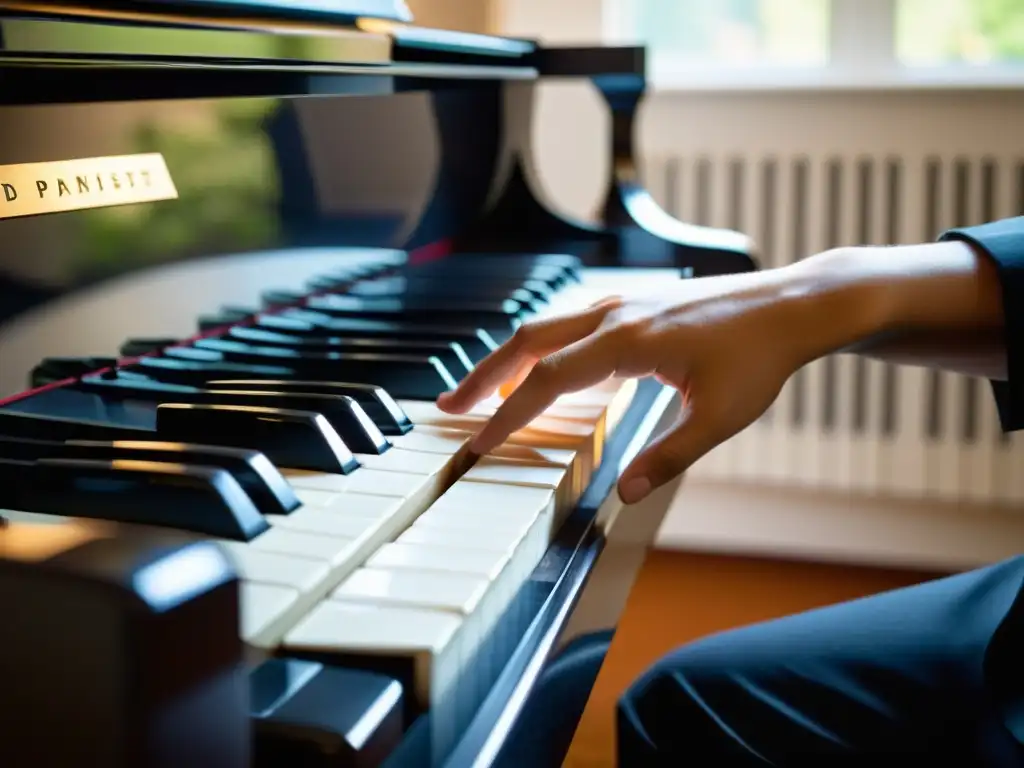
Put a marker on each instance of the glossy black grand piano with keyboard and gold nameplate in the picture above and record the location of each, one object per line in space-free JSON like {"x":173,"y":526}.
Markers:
{"x":244,"y":245}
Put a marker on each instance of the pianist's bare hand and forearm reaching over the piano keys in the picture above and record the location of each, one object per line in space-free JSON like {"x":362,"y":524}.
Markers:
{"x":730,"y":344}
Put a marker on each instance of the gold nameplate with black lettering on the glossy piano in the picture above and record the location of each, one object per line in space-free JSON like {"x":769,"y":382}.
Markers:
{"x":36,"y":189}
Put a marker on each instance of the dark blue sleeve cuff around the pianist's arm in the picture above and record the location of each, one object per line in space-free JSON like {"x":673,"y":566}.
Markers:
{"x":1004,"y":241}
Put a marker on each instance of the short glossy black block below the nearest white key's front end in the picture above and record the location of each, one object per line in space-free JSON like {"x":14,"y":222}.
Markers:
{"x":307,"y":715}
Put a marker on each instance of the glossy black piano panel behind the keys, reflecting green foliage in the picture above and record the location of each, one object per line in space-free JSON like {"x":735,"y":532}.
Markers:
{"x":268,"y":191}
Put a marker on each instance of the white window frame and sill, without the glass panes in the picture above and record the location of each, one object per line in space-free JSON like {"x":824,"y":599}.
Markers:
{"x":863,"y":56}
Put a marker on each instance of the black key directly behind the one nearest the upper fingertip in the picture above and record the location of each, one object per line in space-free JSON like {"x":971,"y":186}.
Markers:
{"x":452,"y":356}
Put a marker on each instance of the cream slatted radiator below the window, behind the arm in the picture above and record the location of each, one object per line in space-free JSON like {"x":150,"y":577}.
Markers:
{"x":844,"y":423}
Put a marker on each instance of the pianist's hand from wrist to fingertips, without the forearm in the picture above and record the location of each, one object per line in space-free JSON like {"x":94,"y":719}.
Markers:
{"x":728,"y":344}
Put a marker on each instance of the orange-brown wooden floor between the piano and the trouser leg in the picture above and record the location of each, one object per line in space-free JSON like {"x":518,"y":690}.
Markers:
{"x":681,"y":596}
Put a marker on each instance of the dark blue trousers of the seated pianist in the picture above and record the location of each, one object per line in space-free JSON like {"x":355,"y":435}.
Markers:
{"x":931,"y":673}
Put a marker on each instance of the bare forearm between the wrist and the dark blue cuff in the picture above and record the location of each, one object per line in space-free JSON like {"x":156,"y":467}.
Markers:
{"x":938,"y":306}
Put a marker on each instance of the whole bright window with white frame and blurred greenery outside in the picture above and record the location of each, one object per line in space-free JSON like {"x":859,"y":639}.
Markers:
{"x":827,"y":42}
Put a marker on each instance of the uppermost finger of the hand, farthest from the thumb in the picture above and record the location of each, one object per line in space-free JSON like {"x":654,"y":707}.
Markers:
{"x":531,"y":344}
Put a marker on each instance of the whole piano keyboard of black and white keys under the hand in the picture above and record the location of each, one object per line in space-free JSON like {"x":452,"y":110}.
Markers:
{"x":365,"y":533}
